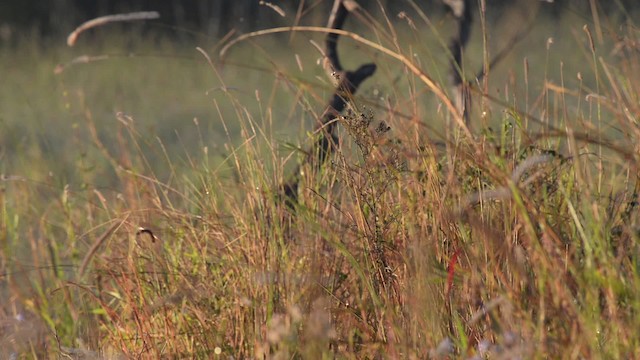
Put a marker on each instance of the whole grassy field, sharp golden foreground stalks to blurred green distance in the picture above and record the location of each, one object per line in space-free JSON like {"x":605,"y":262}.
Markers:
{"x":141,"y":216}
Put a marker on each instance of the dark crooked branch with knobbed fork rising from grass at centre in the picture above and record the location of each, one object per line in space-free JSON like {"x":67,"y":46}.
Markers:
{"x":348,"y":83}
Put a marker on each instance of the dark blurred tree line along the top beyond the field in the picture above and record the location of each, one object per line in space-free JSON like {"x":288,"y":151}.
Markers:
{"x":221,"y":16}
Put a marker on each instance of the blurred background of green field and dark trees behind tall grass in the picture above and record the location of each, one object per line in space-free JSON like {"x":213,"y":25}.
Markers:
{"x":152,"y":72}
